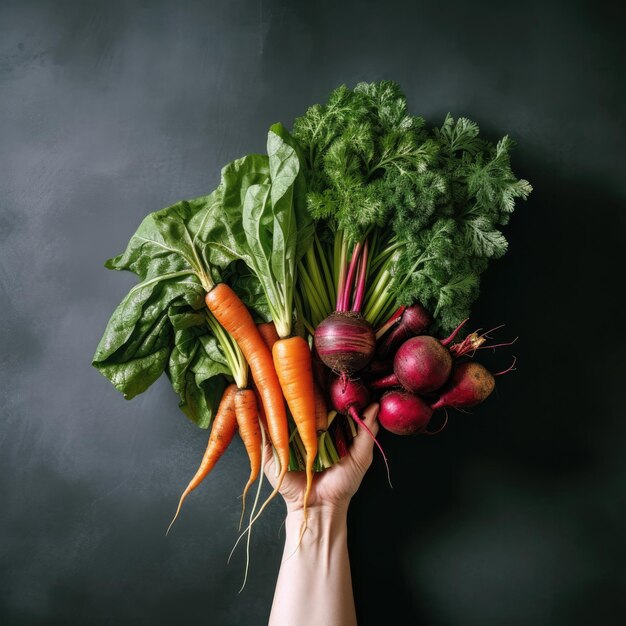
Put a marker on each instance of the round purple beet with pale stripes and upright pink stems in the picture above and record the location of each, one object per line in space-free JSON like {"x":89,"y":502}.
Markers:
{"x":345,"y":342}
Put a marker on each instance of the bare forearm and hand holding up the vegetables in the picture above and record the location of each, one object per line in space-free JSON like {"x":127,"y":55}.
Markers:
{"x":314,"y":584}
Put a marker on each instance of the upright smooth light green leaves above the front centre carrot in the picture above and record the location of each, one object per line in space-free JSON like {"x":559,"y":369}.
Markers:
{"x":273,"y":229}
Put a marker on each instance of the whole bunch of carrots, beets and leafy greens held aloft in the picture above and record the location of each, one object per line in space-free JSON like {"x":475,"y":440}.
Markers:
{"x":316,"y":278}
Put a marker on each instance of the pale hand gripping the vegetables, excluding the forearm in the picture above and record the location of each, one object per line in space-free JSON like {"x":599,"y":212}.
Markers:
{"x":336,"y":485}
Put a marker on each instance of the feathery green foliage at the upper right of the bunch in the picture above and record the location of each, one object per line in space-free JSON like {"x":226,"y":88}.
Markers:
{"x":435,"y":197}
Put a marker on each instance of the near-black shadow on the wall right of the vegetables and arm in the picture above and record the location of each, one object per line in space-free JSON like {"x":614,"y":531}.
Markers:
{"x":496,"y":520}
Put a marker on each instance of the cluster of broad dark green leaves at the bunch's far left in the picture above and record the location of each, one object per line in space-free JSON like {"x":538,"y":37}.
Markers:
{"x":143,"y":337}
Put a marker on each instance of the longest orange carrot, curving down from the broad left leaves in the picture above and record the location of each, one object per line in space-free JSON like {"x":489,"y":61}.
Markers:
{"x":234,"y":316}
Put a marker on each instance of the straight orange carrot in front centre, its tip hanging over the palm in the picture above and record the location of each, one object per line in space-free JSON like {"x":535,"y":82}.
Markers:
{"x":292,"y":360}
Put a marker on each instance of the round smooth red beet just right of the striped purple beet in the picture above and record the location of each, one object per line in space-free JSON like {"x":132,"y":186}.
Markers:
{"x":421,"y":365}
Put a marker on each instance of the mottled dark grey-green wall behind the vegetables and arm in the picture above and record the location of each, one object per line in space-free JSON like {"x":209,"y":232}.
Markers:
{"x":108,"y":110}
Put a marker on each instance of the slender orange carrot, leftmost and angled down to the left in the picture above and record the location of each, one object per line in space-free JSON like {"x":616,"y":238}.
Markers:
{"x":222,"y":433}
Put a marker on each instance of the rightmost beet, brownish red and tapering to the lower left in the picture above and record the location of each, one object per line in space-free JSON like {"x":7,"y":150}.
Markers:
{"x":471,"y":383}
